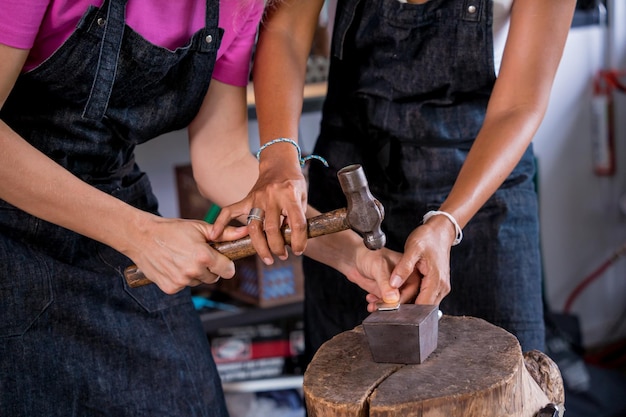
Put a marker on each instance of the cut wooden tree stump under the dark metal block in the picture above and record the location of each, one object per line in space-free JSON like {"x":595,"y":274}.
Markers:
{"x":477,"y":370}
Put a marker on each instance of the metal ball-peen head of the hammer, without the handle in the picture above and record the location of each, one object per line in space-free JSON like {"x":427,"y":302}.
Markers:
{"x":365,"y":214}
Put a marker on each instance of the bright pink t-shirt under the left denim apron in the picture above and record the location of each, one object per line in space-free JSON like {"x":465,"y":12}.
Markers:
{"x":43,"y":25}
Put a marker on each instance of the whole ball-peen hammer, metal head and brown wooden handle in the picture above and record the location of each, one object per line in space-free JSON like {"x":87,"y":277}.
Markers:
{"x":363,"y":214}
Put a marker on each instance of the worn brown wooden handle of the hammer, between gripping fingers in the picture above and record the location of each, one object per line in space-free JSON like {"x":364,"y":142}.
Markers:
{"x":324,"y":224}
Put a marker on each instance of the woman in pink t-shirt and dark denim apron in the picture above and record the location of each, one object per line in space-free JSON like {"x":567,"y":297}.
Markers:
{"x":82,"y":82}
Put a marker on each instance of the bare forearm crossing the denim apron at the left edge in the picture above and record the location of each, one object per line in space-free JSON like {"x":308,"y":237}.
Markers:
{"x":36,"y":184}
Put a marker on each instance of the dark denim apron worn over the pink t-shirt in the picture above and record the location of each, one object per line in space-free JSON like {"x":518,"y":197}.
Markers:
{"x":75,"y":340}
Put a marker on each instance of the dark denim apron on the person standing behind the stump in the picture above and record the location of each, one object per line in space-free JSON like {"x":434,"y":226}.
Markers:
{"x":407,"y":95}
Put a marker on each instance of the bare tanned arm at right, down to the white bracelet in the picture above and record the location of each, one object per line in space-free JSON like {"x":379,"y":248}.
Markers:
{"x":518,"y":103}
